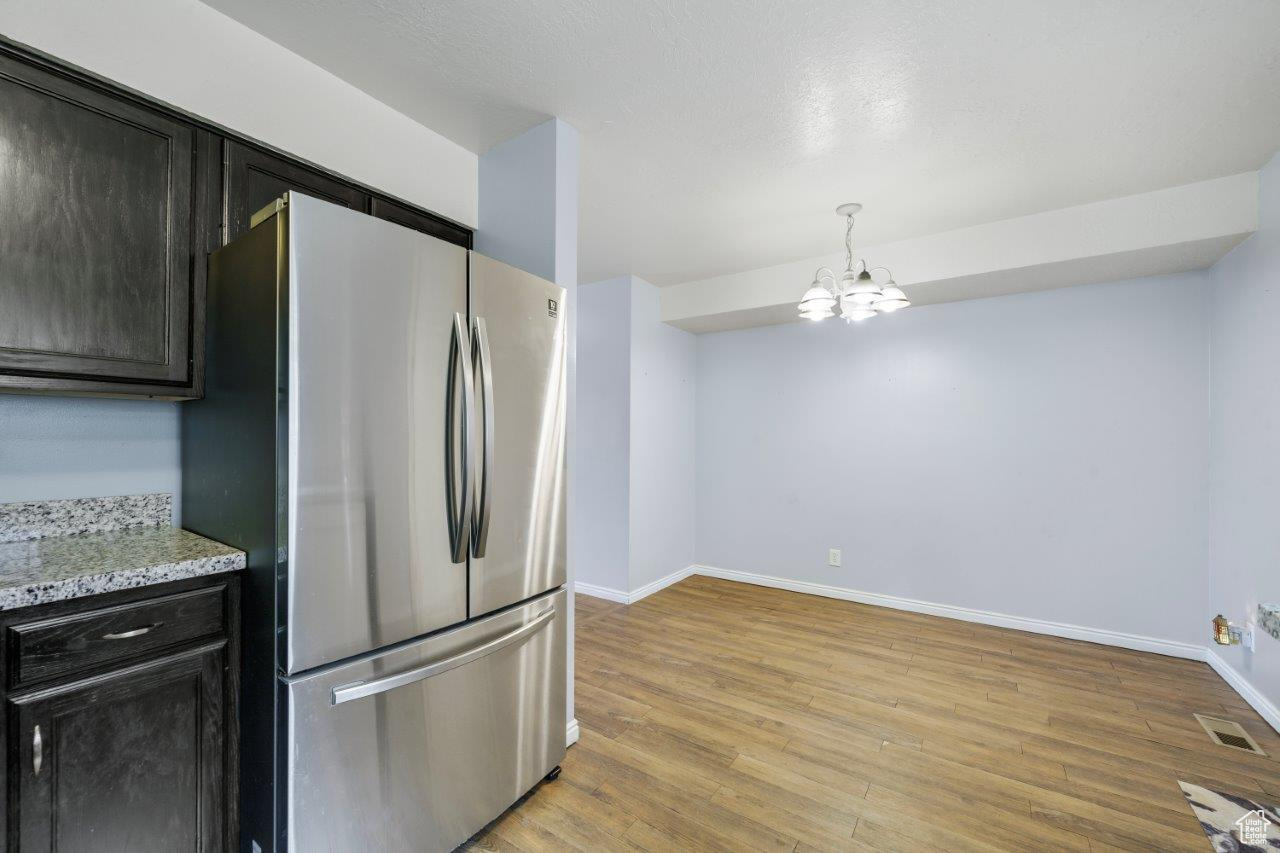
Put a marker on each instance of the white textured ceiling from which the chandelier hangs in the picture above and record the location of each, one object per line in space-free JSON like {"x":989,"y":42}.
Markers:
{"x":719,"y":136}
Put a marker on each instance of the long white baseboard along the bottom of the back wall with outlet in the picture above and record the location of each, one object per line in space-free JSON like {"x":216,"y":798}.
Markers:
{"x":984,"y":617}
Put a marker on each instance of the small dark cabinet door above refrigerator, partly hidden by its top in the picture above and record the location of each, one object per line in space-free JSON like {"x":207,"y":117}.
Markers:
{"x":255,"y":179}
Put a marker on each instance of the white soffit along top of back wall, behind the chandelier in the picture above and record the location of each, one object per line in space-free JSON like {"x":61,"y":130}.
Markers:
{"x":1154,"y":234}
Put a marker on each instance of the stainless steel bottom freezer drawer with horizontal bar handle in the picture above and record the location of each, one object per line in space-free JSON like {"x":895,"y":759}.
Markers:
{"x":419,"y":749}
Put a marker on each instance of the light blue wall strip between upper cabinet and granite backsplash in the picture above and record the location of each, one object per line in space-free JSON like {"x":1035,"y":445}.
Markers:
{"x":63,"y":448}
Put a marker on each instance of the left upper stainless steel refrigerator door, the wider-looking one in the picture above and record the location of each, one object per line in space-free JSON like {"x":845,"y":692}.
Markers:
{"x":380,"y":410}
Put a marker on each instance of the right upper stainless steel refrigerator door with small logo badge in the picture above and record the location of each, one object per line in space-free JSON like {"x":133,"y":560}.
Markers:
{"x":519,"y":350}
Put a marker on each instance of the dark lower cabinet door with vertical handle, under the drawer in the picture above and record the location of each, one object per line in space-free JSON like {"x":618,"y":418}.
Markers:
{"x":131,"y":760}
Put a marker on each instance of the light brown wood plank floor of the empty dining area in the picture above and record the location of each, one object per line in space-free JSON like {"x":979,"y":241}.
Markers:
{"x":725,"y":717}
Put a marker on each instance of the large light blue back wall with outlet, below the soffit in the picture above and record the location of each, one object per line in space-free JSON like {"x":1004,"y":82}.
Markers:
{"x":1043,"y":455}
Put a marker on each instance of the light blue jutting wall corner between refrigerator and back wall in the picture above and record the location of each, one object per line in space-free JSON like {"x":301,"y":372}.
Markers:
{"x":637,"y":385}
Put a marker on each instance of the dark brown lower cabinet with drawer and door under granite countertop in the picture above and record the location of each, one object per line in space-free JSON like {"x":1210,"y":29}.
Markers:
{"x":136,"y":755}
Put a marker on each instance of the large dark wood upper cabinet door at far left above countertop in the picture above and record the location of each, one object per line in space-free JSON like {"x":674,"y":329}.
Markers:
{"x":97,"y":220}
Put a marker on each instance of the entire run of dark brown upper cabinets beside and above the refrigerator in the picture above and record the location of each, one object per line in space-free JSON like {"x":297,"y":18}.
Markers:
{"x":109,"y":207}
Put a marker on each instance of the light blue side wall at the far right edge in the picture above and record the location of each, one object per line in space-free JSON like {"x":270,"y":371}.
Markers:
{"x":1245,"y":540}
